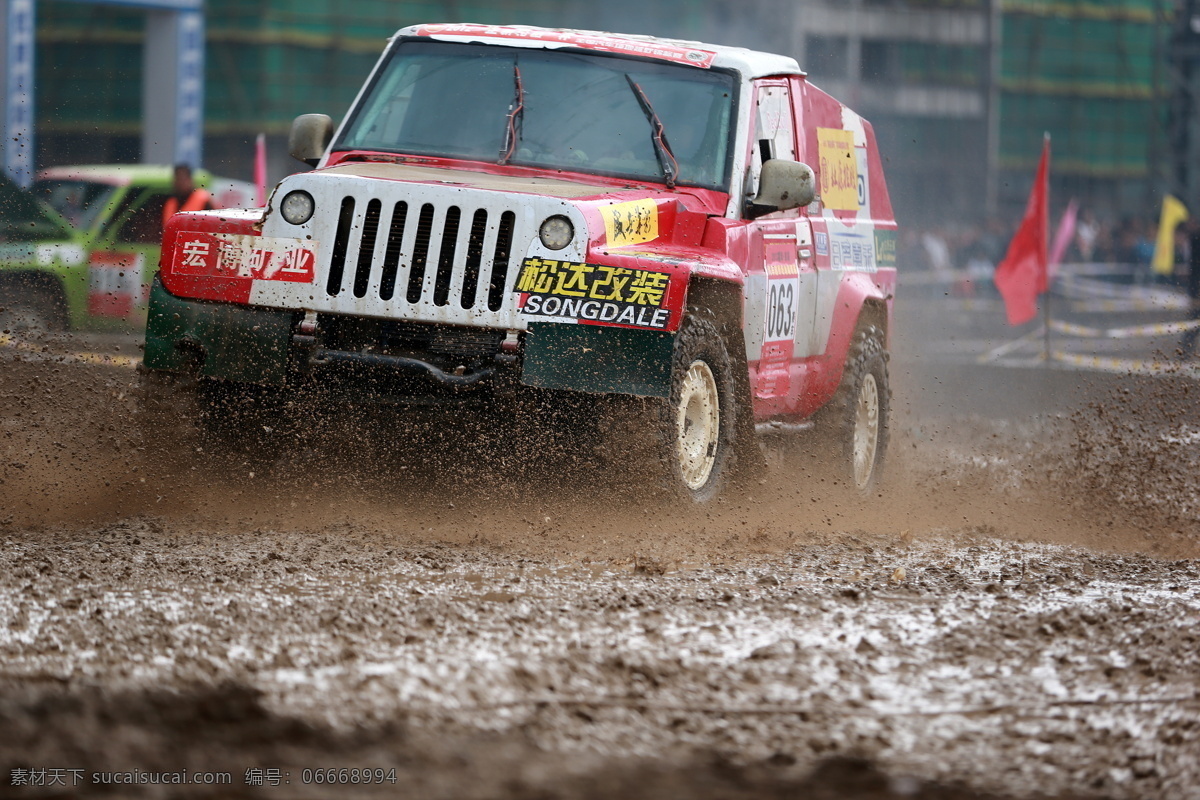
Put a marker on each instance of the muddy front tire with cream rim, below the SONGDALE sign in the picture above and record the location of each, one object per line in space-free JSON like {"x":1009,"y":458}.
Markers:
{"x":698,"y":423}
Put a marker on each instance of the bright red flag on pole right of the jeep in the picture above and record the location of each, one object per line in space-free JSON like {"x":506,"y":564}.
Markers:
{"x":1022,"y":276}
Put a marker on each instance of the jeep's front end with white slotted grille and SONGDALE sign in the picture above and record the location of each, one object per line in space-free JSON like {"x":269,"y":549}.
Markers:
{"x":425,"y":291}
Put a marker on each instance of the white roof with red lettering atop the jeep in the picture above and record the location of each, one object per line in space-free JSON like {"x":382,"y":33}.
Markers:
{"x":749,"y":63}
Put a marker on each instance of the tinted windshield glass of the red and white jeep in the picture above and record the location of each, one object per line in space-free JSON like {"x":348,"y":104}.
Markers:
{"x":549,"y":109}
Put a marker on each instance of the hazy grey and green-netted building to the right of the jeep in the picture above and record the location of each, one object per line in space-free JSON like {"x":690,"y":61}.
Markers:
{"x":963,"y":92}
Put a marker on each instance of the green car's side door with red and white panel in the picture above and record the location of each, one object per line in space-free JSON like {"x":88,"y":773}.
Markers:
{"x":122,"y":264}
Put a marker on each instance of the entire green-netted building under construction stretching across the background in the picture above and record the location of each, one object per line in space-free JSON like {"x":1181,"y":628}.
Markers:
{"x":961,"y":92}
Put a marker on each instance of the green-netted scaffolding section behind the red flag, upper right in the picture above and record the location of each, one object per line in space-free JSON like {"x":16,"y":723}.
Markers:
{"x":1090,"y":73}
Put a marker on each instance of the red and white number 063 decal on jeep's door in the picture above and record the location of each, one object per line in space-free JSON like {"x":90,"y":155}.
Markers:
{"x":782,"y":310}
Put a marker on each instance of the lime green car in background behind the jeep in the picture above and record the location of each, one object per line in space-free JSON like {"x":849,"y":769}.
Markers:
{"x":81,"y":249}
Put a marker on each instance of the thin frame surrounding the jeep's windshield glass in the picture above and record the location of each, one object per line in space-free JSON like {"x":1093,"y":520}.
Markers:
{"x":381,"y":73}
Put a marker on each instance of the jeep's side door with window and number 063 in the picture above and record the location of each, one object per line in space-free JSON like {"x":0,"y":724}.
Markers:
{"x":778,"y":292}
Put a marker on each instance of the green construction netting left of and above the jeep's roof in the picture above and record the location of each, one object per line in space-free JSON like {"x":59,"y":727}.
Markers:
{"x":271,"y":61}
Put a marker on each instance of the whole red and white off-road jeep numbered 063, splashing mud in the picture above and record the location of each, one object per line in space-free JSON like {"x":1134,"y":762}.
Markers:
{"x":561,"y":214}
